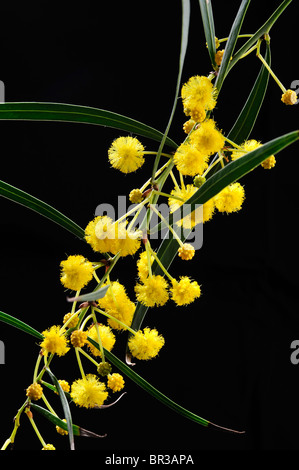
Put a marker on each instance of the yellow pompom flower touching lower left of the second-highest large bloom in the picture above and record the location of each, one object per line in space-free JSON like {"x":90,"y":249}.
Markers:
{"x":189,"y":160}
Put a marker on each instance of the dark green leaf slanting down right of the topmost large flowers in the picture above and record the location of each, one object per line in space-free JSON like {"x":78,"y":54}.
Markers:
{"x":247,"y":118}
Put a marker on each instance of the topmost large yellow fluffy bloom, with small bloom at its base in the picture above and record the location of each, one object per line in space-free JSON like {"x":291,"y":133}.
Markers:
{"x":198,"y":96}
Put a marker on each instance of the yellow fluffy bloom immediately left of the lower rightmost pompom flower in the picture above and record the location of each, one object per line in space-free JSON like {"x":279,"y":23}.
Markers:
{"x":153,"y":291}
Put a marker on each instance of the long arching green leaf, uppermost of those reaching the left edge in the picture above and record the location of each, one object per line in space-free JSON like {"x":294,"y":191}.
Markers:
{"x":61,"y":112}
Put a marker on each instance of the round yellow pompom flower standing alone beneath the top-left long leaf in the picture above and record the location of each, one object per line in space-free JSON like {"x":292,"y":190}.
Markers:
{"x":126,"y":154}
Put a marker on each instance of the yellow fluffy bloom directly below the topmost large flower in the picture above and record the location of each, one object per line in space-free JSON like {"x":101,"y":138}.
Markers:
{"x":207,"y":138}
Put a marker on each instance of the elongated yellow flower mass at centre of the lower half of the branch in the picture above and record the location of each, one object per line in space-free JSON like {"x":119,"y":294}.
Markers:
{"x":117,"y":303}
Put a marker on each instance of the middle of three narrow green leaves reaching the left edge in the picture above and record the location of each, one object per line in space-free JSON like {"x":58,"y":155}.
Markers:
{"x":21,"y":197}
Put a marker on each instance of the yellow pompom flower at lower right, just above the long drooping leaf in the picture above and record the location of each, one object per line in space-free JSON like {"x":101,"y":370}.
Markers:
{"x":146,"y":344}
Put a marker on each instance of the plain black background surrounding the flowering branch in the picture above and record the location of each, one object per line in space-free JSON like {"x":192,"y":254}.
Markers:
{"x":227,"y":357}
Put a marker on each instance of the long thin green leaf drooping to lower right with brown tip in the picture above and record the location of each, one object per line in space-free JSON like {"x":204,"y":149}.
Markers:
{"x":128,"y":371}
